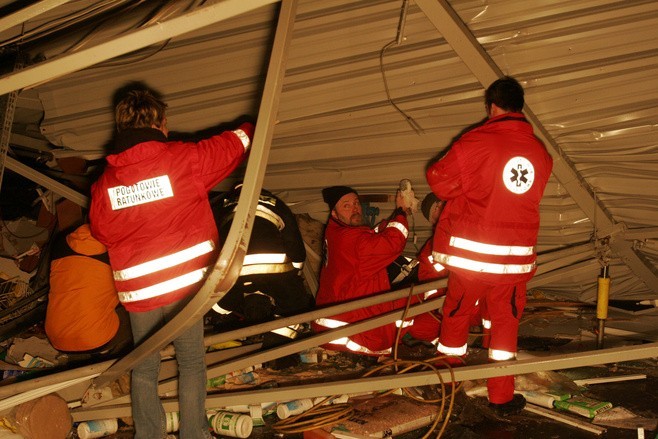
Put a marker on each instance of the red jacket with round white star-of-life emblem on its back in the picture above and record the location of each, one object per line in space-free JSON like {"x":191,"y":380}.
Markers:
{"x":493,"y":179}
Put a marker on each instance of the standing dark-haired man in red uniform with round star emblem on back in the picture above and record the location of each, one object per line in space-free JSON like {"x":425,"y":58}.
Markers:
{"x":492,"y":178}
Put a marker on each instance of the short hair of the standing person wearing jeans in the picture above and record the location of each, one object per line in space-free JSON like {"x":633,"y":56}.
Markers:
{"x":139,"y":109}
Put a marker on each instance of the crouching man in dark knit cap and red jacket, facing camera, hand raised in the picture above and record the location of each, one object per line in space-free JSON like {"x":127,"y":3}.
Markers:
{"x":355,"y":266}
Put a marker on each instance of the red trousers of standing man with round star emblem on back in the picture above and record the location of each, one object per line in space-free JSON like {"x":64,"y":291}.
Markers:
{"x":501,"y":304}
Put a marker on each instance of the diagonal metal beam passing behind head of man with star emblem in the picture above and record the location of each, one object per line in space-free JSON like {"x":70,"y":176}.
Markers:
{"x":463,"y":42}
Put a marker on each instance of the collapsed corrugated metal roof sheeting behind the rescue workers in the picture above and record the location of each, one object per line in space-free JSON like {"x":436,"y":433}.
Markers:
{"x":373,"y":90}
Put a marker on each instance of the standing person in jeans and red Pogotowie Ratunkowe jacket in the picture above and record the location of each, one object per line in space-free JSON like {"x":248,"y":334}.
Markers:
{"x":150,"y":208}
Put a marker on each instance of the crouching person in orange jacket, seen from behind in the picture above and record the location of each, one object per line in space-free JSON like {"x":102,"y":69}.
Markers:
{"x":82,"y":287}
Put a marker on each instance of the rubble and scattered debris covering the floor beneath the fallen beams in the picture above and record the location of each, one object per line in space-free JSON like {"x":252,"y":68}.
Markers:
{"x":615,"y":399}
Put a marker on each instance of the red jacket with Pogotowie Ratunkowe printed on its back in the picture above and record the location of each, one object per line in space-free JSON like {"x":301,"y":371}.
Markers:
{"x":150,"y":208}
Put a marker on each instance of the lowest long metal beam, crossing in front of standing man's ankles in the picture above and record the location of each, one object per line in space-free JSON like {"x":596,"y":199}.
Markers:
{"x":374,"y":384}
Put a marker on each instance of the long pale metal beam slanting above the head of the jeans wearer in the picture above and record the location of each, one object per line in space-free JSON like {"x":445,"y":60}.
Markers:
{"x":129,"y":42}
